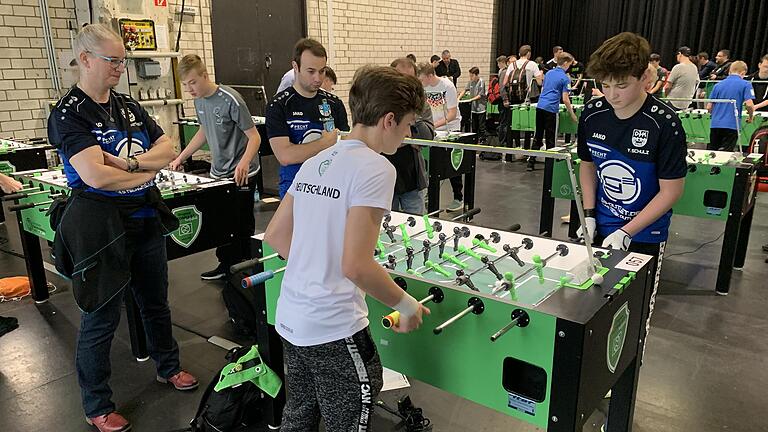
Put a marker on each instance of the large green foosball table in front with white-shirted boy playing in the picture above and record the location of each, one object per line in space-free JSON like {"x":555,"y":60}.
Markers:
{"x":519,"y":324}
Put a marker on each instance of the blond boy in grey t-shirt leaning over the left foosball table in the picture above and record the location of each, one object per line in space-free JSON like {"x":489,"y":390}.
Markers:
{"x":227,"y":126}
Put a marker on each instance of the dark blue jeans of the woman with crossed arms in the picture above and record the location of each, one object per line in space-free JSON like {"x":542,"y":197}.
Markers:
{"x":149,"y":282}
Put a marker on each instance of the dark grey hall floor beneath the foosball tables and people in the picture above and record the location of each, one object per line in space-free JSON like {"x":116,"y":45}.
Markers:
{"x":705,"y":368}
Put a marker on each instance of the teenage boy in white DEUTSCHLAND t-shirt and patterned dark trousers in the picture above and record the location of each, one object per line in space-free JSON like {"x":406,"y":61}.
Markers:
{"x":327,"y":226}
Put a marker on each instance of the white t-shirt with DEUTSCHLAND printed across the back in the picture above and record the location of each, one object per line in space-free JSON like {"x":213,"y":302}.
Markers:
{"x":317,"y":303}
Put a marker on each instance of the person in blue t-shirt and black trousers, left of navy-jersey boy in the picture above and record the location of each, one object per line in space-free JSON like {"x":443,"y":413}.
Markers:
{"x":556,"y":88}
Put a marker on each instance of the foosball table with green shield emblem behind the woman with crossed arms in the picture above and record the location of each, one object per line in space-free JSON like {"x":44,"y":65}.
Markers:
{"x":206,"y":209}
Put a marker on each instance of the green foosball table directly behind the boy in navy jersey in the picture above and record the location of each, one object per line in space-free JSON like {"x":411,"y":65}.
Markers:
{"x":719,"y":186}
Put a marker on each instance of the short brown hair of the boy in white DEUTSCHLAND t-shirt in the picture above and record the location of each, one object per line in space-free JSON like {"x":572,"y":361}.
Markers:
{"x":378,"y":90}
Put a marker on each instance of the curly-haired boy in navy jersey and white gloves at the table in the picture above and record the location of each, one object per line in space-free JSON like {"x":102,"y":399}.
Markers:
{"x":632,"y":149}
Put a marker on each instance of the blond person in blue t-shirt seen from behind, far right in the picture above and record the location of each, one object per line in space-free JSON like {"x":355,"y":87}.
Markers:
{"x":725,"y":124}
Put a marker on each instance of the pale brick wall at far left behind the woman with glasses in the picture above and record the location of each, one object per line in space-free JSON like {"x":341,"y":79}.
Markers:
{"x":26,"y":85}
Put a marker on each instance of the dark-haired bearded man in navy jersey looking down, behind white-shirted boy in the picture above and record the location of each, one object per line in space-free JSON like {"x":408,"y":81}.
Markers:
{"x":304,"y":119}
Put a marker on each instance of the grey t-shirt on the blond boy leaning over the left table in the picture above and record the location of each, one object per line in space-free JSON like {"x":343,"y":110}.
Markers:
{"x":224,"y":117}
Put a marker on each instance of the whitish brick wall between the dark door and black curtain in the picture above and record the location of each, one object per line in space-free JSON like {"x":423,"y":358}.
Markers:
{"x":378,"y":31}
